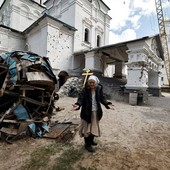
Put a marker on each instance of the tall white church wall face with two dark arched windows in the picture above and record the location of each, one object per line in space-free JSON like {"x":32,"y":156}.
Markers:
{"x":87,"y":16}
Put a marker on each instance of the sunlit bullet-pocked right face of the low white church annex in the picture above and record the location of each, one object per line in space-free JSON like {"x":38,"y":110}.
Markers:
{"x":60,"y":48}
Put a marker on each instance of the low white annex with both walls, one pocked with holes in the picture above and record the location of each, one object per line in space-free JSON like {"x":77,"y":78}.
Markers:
{"x":54,"y":40}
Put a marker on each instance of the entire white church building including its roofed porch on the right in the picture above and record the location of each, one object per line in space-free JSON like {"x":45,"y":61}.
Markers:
{"x":74,"y":34}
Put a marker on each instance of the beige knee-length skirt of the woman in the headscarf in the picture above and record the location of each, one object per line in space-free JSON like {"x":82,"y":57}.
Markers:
{"x":92,"y":128}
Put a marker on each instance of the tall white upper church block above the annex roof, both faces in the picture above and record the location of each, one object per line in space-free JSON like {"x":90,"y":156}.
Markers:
{"x":82,"y":14}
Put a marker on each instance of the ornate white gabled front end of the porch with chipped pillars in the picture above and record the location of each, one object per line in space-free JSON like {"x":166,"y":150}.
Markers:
{"x":144,"y":62}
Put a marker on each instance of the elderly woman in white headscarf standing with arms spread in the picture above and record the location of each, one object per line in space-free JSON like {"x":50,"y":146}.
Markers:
{"x":91,"y":112}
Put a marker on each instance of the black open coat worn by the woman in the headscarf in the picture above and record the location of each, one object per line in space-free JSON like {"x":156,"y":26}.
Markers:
{"x":85,"y":101}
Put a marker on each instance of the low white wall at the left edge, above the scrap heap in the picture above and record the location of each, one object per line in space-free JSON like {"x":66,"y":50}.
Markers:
{"x":10,"y":40}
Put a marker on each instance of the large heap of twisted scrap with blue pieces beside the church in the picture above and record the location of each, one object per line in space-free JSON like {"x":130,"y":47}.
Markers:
{"x":27,"y":94}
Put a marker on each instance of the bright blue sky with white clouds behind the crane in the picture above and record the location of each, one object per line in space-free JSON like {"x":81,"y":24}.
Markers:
{"x":133,"y":19}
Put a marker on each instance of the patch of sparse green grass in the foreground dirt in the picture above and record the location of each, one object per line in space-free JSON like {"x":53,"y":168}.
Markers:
{"x":40,"y":158}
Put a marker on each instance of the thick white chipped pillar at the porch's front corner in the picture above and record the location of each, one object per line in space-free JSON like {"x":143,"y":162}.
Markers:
{"x":137,"y":77}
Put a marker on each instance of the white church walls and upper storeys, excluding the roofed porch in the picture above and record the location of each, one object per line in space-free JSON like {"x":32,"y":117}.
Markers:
{"x":56,"y":29}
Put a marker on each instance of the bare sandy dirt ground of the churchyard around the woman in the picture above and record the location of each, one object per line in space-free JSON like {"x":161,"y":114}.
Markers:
{"x":133,"y":138}
